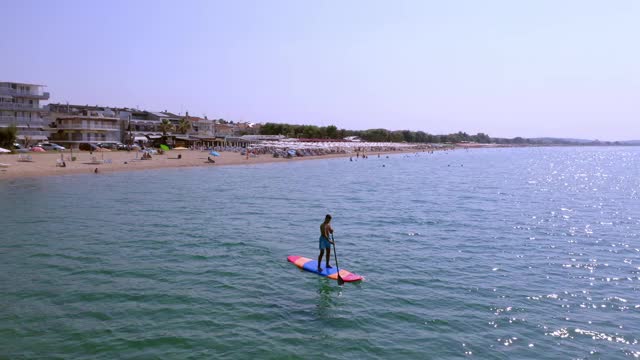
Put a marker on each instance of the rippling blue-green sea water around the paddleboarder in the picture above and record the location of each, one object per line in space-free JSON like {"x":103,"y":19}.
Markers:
{"x":488,"y":254}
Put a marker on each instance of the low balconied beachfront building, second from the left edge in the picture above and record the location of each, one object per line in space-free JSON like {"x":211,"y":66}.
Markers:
{"x":73,"y":125}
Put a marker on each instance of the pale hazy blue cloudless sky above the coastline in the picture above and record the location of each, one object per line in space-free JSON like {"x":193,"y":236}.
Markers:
{"x":507,"y":68}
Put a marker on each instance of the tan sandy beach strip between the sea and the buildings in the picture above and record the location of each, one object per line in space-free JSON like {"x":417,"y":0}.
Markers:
{"x":45,"y":164}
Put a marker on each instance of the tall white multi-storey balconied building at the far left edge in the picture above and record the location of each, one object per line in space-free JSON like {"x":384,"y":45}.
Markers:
{"x":20,"y":106}
